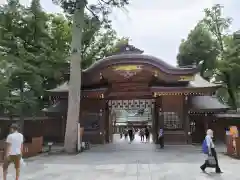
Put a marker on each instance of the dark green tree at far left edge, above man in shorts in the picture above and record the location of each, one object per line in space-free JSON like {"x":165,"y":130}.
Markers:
{"x":17,"y":70}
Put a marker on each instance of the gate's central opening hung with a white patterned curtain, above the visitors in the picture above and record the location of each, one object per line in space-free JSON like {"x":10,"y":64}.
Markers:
{"x":125,"y":114}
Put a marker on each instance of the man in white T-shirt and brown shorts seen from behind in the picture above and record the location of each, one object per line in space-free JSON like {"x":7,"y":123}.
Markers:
{"x":13,"y":152}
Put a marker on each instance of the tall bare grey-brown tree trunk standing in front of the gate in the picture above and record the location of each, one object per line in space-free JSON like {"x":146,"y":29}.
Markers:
{"x":74,"y":96}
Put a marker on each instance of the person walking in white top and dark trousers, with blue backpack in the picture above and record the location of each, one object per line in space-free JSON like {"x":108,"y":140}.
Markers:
{"x":209,"y":149}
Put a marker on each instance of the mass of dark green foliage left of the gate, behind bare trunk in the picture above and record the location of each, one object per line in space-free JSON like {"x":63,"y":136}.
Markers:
{"x":34,"y":50}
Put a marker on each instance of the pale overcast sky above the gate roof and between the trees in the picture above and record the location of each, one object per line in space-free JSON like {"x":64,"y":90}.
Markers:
{"x":158,"y":27}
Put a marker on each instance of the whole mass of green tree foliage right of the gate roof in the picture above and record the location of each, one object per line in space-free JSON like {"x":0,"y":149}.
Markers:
{"x":211,"y":43}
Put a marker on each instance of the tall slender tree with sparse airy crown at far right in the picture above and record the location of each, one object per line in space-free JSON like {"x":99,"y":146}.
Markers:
{"x":218,"y":26}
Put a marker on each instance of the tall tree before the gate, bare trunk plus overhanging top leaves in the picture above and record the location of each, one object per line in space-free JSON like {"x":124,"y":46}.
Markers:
{"x":77,"y":8}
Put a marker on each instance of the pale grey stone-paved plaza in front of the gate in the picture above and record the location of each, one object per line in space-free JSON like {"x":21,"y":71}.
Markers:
{"x":121,"y":160}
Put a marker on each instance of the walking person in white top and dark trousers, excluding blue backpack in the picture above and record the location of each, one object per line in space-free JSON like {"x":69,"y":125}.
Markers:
{"x":211,"y":151}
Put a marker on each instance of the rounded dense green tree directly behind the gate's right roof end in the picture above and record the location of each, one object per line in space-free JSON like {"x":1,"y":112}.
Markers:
{"x":199,"y":47}
